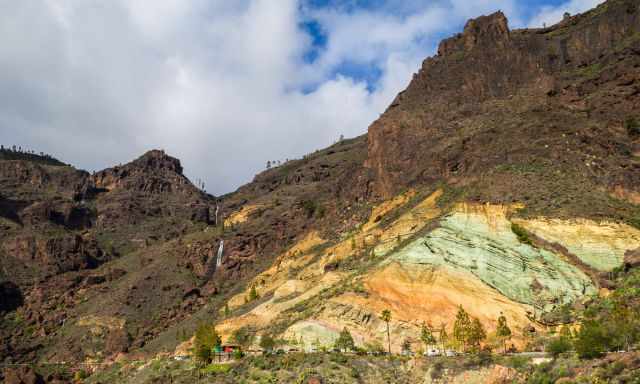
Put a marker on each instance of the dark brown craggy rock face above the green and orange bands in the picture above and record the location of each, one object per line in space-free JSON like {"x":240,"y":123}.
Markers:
{"x":477,"y":104}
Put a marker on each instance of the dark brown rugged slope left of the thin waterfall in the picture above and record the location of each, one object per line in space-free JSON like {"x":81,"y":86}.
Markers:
{"x":69,"y":238}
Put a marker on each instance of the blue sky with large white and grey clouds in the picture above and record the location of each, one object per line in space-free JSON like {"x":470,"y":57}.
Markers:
{"x":223,"y":85}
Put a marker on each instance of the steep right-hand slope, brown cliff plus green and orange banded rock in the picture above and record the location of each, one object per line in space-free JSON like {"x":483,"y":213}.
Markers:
{"x":531,"y":136}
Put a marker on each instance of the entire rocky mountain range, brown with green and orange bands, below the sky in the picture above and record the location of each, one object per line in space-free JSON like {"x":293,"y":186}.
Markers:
{"x":505,"y":179}
